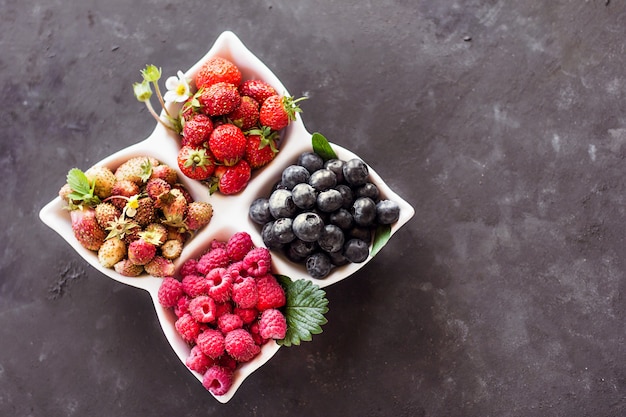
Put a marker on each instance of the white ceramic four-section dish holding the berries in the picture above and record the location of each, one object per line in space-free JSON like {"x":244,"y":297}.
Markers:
{"x":230,"y":212}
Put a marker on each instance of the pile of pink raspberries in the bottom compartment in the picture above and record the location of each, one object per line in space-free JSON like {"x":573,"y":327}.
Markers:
{"x":227,"y":304}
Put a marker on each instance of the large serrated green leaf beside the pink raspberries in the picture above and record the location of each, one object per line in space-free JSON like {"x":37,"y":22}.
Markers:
{"x":304,"y":310}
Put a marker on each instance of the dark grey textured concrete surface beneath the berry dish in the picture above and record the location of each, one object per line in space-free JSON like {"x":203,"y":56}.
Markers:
{"x":502,"y":122}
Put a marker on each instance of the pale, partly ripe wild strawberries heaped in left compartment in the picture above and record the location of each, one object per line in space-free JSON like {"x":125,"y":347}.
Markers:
{"x":137,"y":217}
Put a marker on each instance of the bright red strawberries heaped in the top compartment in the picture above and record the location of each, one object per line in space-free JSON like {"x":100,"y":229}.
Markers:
{"x":230,"y":126}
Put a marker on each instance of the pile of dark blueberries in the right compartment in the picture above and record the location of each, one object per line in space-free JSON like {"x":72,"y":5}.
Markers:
{"x":323,"y":213}
